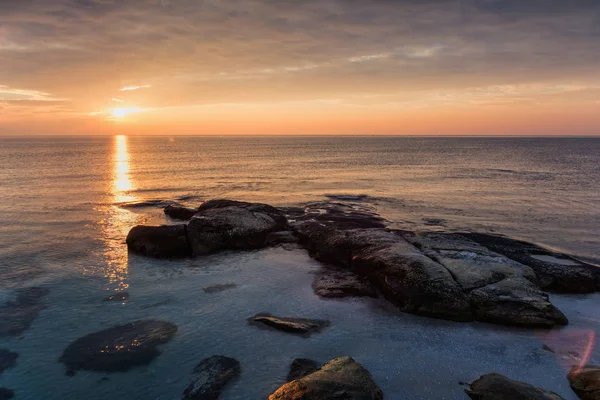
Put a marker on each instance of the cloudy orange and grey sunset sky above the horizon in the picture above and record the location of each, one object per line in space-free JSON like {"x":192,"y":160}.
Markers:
{"x":204,"y":67}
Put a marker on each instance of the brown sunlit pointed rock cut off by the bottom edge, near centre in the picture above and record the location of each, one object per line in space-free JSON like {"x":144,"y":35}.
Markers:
{"x":340,"y":378}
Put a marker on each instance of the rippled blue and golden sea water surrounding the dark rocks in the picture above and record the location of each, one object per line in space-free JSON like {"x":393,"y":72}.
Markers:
{"x":62,"y":228}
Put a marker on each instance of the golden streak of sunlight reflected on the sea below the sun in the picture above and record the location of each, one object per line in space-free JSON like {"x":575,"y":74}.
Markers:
{"x":117,"y":221}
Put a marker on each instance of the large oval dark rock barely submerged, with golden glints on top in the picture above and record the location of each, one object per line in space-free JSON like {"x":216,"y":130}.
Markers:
{"x":119,"y":348}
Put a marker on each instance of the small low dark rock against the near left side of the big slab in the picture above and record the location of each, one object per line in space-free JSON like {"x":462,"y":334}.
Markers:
{"x":338,"y":283}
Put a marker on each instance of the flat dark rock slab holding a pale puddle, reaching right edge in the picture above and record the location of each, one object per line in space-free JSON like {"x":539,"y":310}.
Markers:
{"x":555,"y":271}
